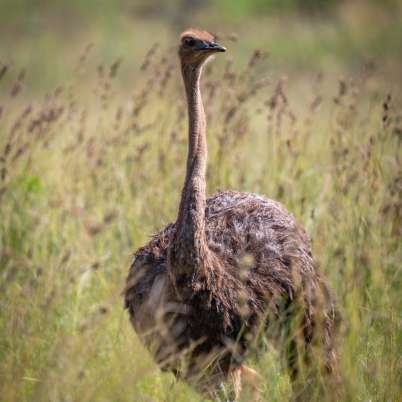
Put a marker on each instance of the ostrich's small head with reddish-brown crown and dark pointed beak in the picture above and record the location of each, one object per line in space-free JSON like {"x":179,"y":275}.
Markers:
{"x":196,"y":46}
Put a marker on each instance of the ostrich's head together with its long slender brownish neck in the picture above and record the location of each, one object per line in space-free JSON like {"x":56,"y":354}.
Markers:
{"x":189,"y":249}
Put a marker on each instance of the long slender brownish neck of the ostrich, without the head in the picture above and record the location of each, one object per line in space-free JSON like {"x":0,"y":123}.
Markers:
{"x":189,"y":243}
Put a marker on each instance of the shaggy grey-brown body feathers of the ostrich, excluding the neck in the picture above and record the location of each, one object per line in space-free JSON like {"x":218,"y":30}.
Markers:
{"x":261,"y":265}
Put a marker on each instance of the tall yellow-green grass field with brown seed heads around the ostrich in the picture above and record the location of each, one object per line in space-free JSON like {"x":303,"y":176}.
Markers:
{"x":92,"y":156}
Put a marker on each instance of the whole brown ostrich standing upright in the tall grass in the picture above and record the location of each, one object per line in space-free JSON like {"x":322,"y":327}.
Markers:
{"x":232,"y":269}
